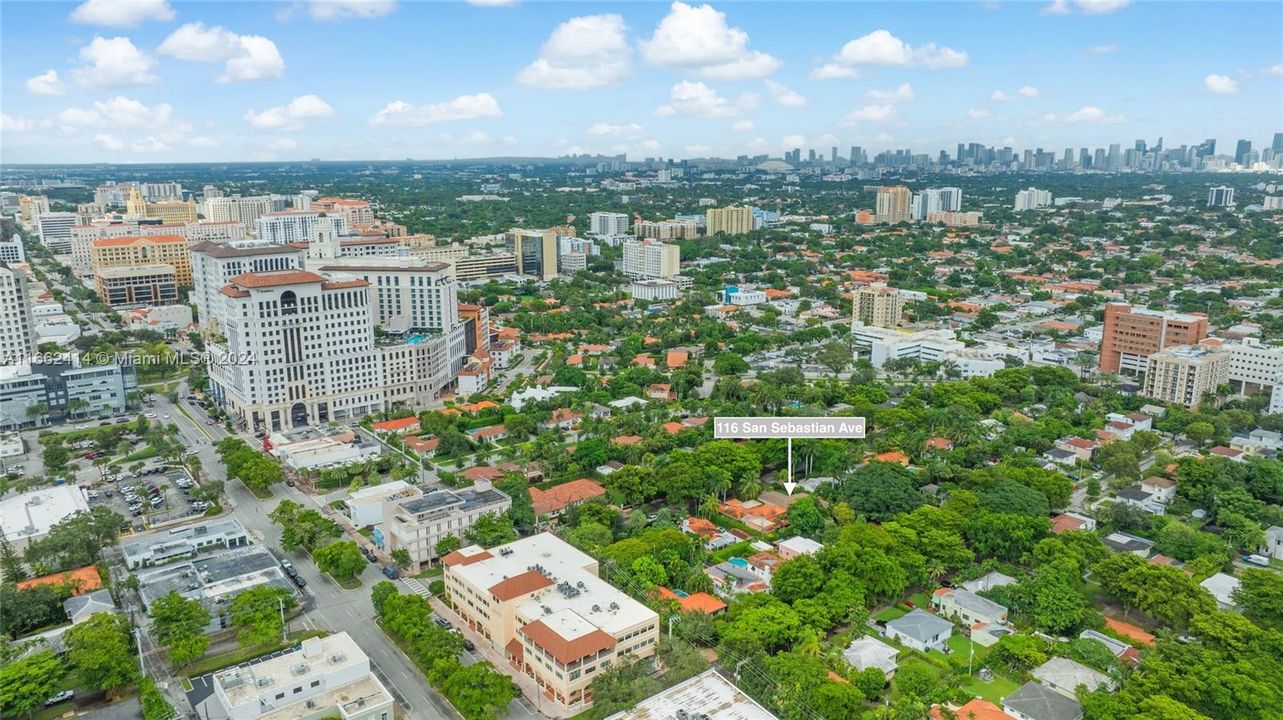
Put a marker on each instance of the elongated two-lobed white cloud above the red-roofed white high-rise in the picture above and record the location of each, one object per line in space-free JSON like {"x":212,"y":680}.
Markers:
{"x":246,"y":57}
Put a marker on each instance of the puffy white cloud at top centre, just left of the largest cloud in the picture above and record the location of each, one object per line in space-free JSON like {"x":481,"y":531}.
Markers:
{"x":581,"y":55}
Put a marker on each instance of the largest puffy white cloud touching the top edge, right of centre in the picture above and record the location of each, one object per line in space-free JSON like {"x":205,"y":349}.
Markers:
{"x":697,"y":39}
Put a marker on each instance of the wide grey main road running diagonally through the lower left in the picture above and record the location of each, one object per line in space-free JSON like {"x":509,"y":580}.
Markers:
{"x":332,"y":608}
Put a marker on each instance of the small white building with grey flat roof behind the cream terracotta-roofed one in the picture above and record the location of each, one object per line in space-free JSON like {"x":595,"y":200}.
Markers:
{"x":418,"y":519}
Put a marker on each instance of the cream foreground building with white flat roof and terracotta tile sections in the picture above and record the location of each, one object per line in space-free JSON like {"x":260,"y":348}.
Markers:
{"x":541,"y":603}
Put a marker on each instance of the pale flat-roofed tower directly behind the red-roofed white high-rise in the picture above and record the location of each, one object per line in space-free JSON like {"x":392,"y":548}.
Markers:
{"x":214,"y":265}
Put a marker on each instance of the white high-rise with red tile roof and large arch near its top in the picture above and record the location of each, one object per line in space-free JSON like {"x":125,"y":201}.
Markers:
{"x":303,"y":347}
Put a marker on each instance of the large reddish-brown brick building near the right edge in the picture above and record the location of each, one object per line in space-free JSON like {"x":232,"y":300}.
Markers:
{"x":1135,"y":334}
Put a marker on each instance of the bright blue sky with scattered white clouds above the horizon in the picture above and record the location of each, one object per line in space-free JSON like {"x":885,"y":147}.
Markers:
{"x":173,"y":81}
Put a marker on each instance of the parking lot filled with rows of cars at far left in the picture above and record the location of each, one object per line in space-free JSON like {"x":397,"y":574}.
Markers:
{"x":153,"y":495}
